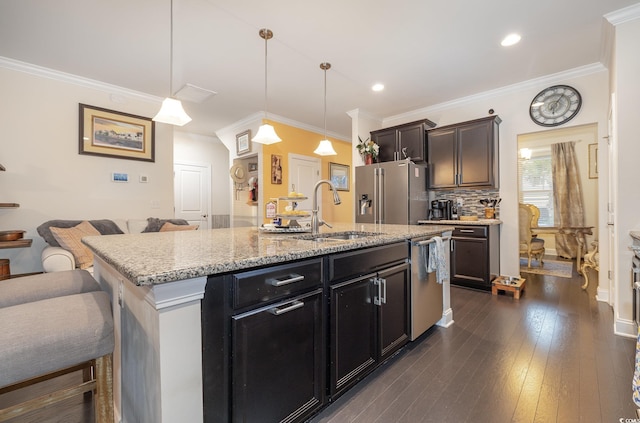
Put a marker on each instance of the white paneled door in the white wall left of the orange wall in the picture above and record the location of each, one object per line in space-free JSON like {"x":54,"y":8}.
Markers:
{"x":192,"y":193}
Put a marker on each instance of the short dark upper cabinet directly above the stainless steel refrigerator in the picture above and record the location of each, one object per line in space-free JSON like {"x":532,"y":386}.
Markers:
{"x":402,"y":141}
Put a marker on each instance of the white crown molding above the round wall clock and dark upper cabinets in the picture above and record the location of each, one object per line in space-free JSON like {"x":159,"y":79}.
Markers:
{"x":508,"y":89}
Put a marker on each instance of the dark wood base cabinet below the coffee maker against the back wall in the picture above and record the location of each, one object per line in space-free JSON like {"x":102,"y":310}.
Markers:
{"x":475,"y":256}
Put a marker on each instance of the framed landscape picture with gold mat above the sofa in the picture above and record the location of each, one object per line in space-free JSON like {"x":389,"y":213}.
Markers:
{"x":114,"y":134}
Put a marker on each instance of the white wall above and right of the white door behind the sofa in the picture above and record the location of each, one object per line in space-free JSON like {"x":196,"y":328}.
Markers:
{"x":200,"y":149}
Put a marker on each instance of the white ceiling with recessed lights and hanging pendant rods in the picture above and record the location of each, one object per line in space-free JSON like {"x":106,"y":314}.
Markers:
{"x":425,"y":51}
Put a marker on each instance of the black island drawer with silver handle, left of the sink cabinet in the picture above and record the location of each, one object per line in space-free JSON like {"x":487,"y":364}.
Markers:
{"x":275,"y":282}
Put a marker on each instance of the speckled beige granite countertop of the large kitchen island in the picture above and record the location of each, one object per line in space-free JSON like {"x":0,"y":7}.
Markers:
{"x":160,"y":257}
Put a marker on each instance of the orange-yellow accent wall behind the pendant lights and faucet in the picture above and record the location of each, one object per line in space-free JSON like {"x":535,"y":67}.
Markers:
{"x":300,"y":141}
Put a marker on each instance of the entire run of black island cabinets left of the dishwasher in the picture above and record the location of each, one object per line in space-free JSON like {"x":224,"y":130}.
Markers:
{"x":279,"y":341}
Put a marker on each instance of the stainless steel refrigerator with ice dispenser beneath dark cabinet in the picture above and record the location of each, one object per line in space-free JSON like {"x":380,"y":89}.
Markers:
{"x":392,"y":193}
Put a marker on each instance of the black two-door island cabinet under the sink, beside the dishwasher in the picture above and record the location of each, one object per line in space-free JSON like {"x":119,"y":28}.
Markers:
{"x":369,"y":316}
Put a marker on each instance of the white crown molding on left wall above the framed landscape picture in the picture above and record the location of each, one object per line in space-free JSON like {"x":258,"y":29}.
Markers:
{"x":43,"y":72}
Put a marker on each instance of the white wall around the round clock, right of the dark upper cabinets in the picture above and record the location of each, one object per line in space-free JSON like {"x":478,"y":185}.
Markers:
{"x":512,"y":105}
